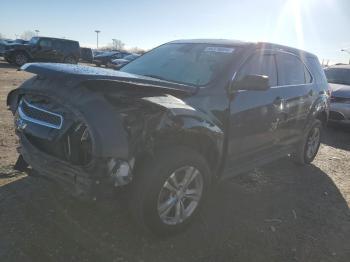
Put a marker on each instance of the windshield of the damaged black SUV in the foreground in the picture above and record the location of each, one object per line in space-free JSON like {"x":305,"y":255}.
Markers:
{"x":186,"y":63}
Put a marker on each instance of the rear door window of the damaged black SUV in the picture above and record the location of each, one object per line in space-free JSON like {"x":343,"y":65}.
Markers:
{"x":291,"y":71}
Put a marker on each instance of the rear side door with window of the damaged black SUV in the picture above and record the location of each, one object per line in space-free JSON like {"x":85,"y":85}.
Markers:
{"x":295,"y":84}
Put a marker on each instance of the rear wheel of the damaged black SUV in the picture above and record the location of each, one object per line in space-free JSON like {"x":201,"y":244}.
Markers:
{"x":309,"y":145}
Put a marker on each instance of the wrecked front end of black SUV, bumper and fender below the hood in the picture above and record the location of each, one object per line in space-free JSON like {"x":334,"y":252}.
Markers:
{"x":89,"y":133}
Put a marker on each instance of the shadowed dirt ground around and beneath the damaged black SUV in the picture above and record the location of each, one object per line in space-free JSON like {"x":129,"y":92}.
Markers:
{"x":278,"y":213}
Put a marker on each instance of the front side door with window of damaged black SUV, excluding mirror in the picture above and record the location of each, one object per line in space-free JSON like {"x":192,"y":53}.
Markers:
{"x":254,"y":115}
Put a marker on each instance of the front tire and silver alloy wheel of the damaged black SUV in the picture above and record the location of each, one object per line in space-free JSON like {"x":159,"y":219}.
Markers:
{"x":168,"y":192}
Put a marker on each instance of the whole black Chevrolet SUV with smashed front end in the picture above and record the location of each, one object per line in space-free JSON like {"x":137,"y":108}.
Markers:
{"x":170,"y":123}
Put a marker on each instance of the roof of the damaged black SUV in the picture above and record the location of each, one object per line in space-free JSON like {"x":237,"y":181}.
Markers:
{"x":242,"y":43}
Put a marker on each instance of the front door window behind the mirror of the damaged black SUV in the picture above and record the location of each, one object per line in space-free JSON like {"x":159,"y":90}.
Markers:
{"x":260,"y":64}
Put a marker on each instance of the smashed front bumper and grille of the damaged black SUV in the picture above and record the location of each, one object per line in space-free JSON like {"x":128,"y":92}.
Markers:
{"x":61,"y":142}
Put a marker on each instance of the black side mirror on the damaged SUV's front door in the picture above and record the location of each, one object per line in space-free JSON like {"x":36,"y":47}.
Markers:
{"x":252,"y":82}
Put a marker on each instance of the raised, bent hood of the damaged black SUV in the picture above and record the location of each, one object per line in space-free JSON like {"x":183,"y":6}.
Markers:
{"x":88,"y":73}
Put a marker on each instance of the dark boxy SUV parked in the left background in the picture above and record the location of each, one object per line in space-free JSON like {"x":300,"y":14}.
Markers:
{"x":44,"y":49}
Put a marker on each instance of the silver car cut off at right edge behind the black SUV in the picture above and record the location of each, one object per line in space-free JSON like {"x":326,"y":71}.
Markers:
{"x":339,"y":78}
